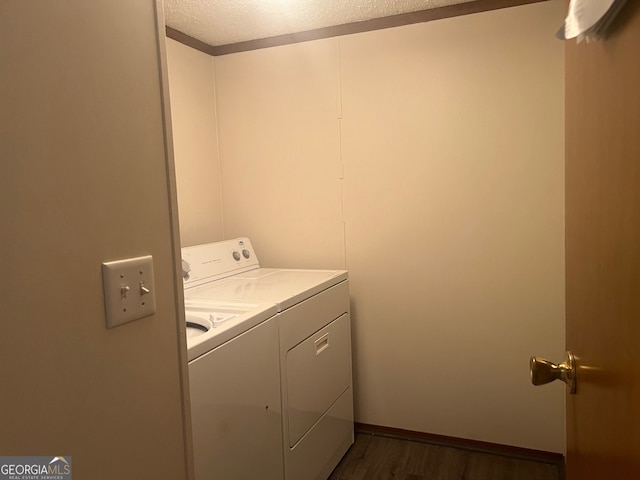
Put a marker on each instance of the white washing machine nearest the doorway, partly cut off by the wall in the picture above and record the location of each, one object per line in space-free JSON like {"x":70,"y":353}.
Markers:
{"x":234,"y":374}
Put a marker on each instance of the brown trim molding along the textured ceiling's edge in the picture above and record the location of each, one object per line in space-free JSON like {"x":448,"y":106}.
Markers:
{"x":421,"y":16}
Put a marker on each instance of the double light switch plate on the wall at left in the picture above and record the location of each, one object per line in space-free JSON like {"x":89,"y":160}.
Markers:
{"x":125,"y":284}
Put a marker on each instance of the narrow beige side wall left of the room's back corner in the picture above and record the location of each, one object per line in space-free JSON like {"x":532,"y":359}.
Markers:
{"x":195,"y":140}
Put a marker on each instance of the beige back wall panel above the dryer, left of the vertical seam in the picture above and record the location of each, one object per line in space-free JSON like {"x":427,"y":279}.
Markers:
{"x":280,"y":152}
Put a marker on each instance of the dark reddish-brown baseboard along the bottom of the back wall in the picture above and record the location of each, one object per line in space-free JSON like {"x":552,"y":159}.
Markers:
{"x":474,"y":445}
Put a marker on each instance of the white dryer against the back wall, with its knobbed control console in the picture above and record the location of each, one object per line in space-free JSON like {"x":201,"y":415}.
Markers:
{"x":314,"y":344}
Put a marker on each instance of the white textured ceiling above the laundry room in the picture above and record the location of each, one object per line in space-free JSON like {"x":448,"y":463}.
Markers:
{"x":223,"y":22}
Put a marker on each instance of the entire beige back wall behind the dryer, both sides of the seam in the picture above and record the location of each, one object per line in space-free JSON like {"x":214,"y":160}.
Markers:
{"x":428,"y":160}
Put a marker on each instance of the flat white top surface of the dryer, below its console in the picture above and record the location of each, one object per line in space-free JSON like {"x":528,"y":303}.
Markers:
{"x":283,"y":287}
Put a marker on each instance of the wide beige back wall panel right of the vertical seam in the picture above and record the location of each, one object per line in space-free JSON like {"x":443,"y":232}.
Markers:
{"x":452,"y":140}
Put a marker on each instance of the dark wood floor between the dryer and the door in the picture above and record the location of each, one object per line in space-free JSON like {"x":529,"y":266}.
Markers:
{"x":374,"y":457}
